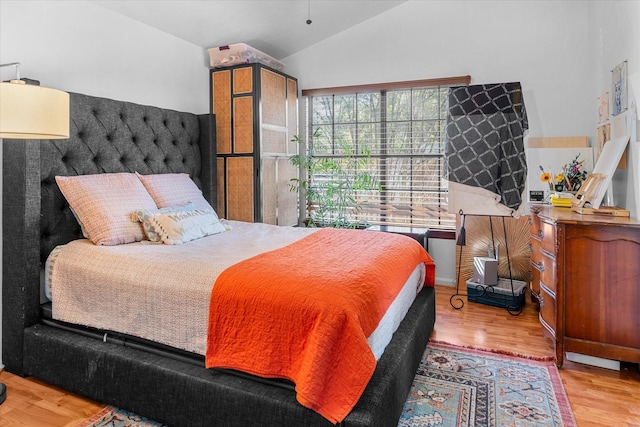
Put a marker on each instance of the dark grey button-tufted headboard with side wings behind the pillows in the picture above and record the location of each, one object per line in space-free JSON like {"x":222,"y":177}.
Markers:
{"x":106,"y":136}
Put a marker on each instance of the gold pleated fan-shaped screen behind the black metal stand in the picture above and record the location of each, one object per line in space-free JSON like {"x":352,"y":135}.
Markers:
{"x":482,"y":232}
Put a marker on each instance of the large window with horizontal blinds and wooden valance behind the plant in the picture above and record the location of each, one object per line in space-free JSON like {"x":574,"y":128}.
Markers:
{"x":397,"y":131}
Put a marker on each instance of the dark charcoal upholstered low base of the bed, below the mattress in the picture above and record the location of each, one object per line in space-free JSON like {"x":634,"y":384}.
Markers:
{"x":180,"y":393}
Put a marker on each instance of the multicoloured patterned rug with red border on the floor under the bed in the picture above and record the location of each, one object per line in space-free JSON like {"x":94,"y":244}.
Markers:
{"x":456,"y":387}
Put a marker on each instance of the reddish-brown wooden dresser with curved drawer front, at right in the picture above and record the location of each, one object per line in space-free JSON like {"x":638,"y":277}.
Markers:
{"x":586,"y":276}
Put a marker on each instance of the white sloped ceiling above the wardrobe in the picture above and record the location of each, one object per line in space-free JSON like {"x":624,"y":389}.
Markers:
{"x":276,"y":27}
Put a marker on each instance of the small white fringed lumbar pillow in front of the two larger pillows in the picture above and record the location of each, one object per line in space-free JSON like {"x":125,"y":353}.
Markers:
{"x":184,"y":226}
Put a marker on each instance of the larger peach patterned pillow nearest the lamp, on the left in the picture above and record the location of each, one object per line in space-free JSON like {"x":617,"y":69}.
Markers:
{"x":103,"y":204}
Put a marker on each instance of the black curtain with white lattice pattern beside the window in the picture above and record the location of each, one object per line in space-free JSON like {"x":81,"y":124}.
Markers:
{"x":484,"y":146}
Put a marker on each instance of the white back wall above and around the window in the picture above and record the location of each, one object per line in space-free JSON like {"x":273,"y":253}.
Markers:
{"x":546,"y":45}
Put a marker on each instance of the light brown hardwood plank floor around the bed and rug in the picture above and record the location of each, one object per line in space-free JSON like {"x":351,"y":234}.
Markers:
{"x":598,"y":397}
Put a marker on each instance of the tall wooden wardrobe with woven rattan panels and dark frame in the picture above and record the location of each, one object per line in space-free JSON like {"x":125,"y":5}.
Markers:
{"x":256,"y":110}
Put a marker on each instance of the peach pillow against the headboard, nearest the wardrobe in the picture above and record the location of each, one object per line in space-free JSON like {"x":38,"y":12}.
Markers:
{"x":174,"y":189}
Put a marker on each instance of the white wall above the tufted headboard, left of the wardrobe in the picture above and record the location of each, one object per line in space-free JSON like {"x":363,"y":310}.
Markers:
{"x":78,"y":46}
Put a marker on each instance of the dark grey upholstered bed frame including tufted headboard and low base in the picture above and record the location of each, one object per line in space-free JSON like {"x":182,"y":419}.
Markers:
{"x":113,"y":136}
